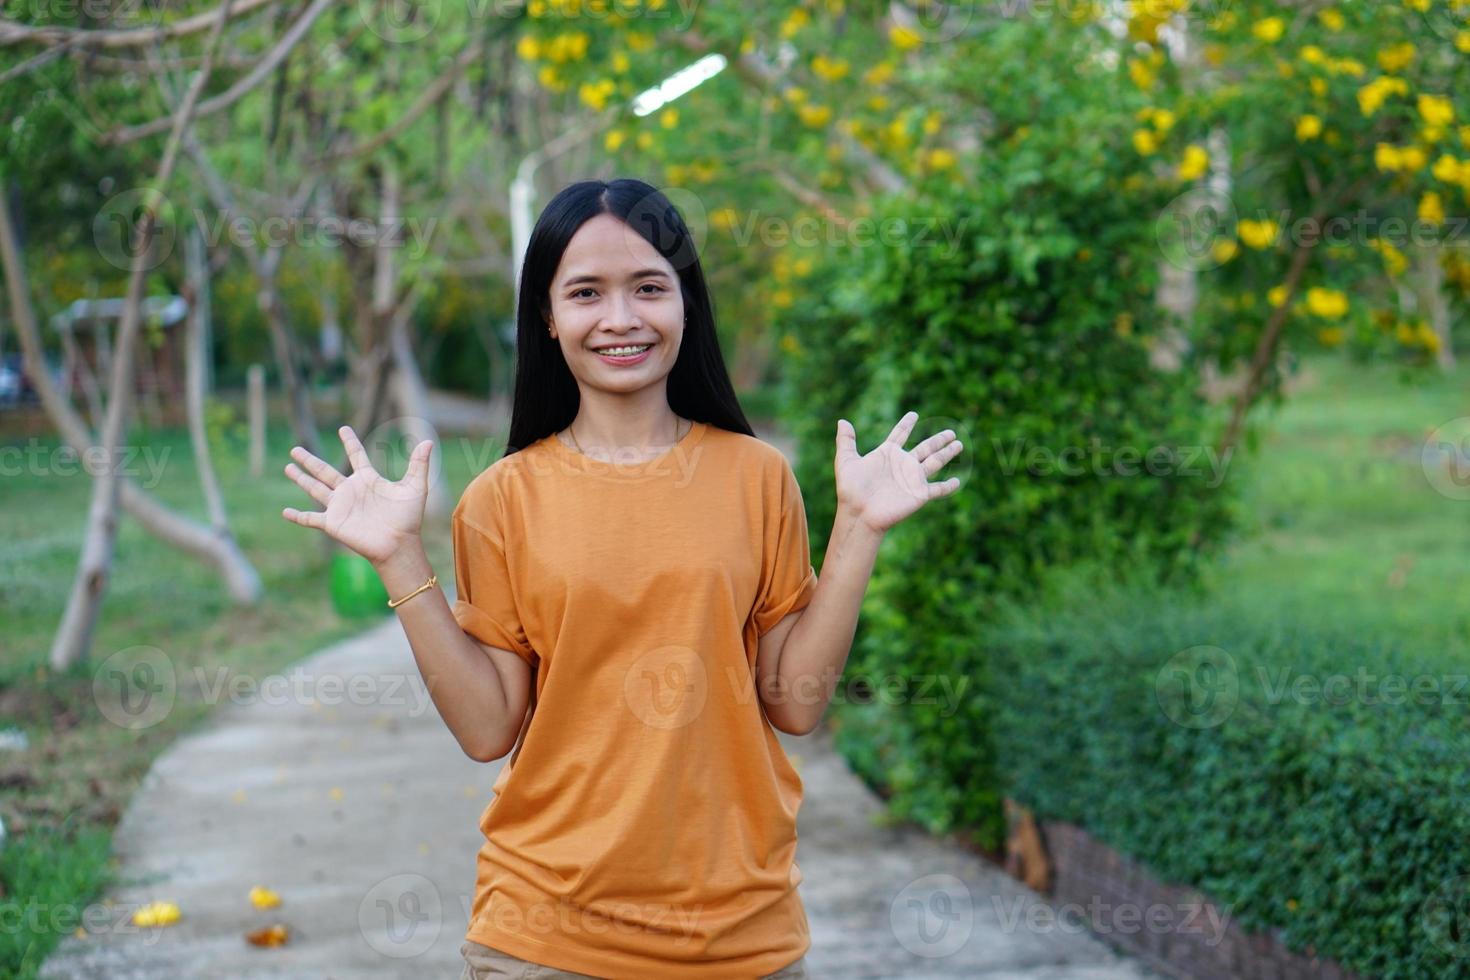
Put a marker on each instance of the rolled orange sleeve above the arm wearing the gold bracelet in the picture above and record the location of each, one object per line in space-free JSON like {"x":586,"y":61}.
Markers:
{"x":484,"y":605}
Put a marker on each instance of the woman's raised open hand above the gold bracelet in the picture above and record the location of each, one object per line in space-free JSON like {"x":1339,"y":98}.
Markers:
{"x":371,"y":515}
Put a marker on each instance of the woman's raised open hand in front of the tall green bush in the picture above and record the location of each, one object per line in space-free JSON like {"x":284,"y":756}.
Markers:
{"x":892,"y":483}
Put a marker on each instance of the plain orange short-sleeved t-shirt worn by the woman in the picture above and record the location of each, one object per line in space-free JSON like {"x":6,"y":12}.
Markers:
{"x":648,"y":825}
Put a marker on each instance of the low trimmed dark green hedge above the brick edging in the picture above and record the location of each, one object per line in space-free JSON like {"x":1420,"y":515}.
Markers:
{"x":1249,"y":759}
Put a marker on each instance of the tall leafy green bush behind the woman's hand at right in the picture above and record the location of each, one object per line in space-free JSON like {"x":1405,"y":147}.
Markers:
{"x":1027,"y":352}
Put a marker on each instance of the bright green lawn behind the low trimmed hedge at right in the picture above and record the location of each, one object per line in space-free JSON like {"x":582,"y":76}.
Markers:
{"x":1343,"y":524}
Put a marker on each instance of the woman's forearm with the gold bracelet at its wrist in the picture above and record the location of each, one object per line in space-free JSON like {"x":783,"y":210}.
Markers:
{"x":465,"y":685}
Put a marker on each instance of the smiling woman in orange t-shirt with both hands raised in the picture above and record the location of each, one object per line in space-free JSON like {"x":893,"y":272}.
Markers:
{"x":636,"y":612}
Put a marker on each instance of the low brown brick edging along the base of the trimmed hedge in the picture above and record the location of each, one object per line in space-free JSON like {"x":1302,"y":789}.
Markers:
{"x":1197,"y":940}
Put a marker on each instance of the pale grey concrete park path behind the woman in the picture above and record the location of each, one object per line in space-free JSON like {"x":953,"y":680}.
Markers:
{"x":339,"y":787}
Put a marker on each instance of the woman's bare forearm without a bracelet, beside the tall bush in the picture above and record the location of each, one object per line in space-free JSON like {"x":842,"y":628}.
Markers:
{"x":817,"y":650}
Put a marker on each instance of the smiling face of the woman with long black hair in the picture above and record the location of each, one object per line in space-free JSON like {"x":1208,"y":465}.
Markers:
{"x":614,"y":290}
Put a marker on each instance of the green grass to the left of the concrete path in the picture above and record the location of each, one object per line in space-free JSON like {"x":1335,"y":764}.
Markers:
{"x":62,"y":797}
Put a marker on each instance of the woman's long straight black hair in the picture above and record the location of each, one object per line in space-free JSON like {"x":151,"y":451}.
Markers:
{"x":548,"y":397}
